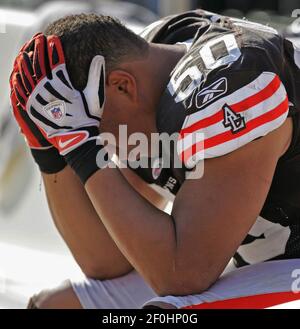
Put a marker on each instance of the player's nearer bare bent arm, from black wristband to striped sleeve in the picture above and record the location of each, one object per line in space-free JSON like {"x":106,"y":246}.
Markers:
{"x":210,"y":217}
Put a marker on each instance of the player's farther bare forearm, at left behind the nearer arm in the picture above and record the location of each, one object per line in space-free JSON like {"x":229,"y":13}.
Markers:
{"x":81,"y":228}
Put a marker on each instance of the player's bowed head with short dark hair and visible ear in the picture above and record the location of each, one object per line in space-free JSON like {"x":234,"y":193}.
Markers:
{"x":87,"y":35}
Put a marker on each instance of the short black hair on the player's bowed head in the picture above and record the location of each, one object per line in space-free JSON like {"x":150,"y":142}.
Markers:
{"x":84,"y":36}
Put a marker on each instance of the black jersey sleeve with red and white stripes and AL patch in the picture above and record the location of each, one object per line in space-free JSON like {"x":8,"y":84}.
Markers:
{"x":237,"y":103}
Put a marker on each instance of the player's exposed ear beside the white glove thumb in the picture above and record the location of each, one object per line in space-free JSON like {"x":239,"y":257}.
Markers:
{"x":122,"y":83}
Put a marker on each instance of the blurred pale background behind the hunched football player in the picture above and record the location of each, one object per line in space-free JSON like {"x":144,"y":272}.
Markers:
{"x":32,"y":255}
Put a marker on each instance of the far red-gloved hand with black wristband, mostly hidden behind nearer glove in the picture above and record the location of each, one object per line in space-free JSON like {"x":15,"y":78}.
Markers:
{"x":44,"y":153}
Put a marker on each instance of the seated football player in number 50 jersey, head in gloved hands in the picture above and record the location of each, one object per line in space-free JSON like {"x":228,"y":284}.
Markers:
{"x":228,"y":89}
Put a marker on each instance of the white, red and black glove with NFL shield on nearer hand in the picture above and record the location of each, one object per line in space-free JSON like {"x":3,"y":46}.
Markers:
{"x":67,"y":117}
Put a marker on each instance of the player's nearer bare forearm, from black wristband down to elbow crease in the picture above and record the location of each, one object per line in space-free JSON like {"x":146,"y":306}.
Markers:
{"x":146,"y":235}
